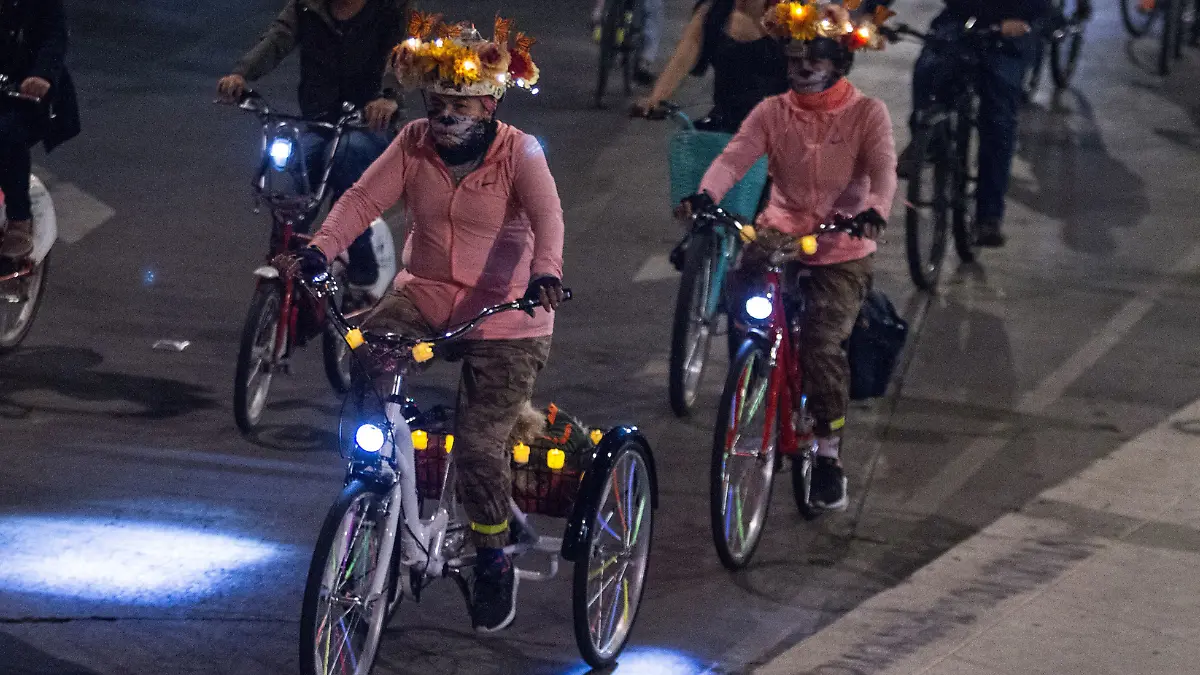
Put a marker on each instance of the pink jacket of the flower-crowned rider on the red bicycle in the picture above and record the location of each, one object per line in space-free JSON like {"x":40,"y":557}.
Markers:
{"x":826,"y":153}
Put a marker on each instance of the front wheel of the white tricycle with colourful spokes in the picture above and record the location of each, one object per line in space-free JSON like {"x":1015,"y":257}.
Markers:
{"x":344,"y":641}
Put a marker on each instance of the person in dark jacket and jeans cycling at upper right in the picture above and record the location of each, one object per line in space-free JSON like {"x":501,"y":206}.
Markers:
{"x":1001,"y":79}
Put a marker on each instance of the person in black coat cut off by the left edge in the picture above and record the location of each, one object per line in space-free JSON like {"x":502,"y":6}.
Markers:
{"x":33,"y":49}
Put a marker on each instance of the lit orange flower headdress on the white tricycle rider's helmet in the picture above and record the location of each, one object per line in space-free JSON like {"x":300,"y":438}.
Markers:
{"x":454,"y":59}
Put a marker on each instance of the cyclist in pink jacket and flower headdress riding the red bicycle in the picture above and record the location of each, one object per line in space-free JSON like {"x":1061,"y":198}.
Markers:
{"x":830,"y":151}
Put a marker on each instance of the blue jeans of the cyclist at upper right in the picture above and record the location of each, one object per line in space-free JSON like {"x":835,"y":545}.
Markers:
{"x":1000,"y":86}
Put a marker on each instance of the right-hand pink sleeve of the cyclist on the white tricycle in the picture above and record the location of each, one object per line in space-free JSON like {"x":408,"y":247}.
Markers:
{"x":538,"y":198}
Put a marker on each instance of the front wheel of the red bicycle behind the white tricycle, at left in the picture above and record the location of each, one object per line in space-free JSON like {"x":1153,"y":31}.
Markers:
{"x":262,"y":322}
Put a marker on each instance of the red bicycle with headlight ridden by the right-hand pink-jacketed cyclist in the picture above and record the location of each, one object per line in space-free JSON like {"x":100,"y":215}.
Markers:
{"x":759,"y":421}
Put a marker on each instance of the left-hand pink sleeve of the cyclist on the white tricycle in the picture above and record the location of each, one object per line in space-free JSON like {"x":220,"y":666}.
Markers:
{"x":381,"y":187}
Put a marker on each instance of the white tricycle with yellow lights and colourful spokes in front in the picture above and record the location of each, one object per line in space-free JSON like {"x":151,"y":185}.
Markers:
{"x":376,"y":549}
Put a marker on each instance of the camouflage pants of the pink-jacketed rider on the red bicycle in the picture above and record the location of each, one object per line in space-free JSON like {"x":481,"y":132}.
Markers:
{"x":835,"y":296}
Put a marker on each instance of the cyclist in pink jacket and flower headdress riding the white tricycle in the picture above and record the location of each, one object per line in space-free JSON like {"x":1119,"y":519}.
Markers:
{"x":485,"y":228}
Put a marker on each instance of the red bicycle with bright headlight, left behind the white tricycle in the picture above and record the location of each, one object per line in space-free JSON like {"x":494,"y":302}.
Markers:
{"x":280,"y":320}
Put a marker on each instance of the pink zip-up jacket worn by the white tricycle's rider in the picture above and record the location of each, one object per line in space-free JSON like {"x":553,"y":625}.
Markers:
{"x":472,"y":246}
